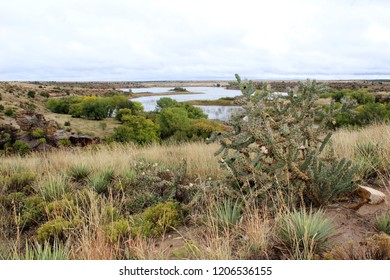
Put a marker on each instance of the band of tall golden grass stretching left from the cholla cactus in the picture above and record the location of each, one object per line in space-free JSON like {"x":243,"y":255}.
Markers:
{"x":199,"y":157}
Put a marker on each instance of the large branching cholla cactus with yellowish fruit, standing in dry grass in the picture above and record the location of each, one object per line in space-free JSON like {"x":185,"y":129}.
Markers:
{"x":275,"y":139}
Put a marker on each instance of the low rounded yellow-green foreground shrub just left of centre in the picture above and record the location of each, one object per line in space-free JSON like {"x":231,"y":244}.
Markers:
{"x":157,"y":220}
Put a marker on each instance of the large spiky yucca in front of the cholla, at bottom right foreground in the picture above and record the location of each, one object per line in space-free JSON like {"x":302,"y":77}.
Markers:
{"x":304,"y":233}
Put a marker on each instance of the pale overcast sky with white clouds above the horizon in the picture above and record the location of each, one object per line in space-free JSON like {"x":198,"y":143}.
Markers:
{"x":129,"y":40}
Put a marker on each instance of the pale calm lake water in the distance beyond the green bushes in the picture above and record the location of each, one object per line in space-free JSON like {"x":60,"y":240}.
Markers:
{"x":222,"y":113}
